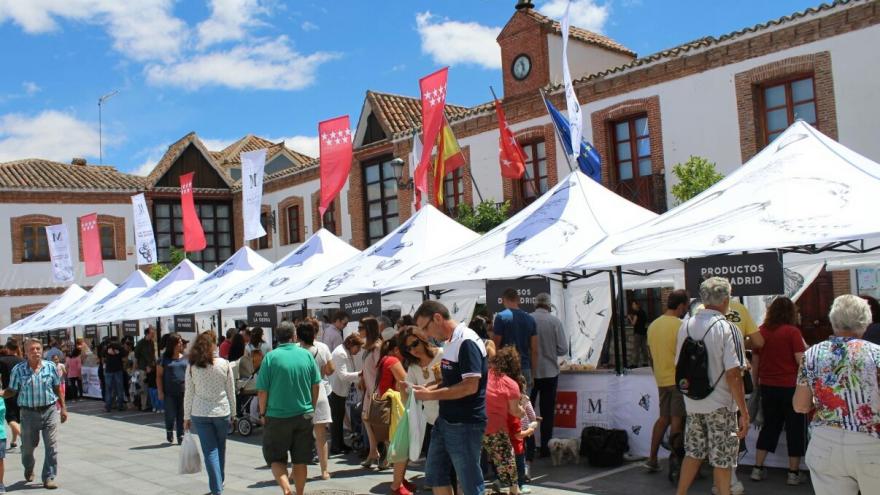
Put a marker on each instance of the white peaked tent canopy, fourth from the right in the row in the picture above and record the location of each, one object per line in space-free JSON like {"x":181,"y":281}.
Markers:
{"x":317,"y":254}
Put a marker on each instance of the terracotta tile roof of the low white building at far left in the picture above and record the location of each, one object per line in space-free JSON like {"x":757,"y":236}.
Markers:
{"x":35,"y":173}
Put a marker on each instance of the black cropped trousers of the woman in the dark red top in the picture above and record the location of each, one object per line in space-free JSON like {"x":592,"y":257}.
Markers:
{"x":778,"y":414}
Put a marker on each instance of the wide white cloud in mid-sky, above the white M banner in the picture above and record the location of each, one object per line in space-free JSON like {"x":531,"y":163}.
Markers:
{"x":271,"y":64}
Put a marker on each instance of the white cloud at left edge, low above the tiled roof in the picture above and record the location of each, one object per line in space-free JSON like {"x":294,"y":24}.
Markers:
{"x":51,"y":134}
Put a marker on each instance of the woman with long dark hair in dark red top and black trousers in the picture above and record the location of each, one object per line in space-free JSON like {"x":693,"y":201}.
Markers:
{"x":776,"y":365}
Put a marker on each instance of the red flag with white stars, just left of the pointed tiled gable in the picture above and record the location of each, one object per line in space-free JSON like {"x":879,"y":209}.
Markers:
{"x":336,"y":153}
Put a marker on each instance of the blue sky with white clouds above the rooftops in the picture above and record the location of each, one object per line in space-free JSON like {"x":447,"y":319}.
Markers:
{"x":273,"y":68}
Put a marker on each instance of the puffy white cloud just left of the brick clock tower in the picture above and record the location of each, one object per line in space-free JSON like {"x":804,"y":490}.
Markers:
{"x":453,"y":42}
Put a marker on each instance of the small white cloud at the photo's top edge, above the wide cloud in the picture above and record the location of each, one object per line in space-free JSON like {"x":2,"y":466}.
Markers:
{"x":229,"y":21}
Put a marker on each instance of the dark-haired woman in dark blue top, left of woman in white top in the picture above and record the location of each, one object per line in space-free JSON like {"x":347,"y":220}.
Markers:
{"x":171,"y":381}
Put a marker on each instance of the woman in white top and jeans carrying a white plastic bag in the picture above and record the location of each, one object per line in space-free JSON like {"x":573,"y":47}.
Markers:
{"x":208,"y":402}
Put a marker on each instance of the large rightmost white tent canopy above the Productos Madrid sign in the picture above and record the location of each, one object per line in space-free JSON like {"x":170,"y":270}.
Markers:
{"x":802,"y":189}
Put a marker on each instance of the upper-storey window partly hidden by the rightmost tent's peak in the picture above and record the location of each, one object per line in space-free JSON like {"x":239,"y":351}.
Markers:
{"x":784,"y":102}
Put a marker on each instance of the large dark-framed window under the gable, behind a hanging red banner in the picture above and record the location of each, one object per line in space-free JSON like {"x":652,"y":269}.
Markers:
{"x":216,"y":222}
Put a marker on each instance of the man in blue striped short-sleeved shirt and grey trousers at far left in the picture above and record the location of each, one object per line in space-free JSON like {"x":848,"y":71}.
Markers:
{"x":37,"y":385}
